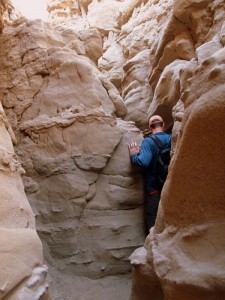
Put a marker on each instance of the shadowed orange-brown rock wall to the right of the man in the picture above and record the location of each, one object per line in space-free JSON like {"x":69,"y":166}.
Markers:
{"x":183,"y":257}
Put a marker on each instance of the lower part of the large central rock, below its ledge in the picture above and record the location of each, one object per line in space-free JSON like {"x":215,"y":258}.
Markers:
{"x":75,"y":171}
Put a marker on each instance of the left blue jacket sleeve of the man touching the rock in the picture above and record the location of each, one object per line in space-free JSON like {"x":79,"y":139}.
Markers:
{"x":144,"y":158}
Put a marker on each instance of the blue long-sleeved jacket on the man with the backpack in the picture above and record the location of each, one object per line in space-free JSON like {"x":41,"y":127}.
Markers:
{"x":147,"y":158}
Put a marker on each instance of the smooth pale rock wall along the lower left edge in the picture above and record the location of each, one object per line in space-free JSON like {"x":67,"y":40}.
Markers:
{"x":21,"y":249}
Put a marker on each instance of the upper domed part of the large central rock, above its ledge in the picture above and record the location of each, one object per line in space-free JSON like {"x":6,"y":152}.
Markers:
{"x":41,"y":71}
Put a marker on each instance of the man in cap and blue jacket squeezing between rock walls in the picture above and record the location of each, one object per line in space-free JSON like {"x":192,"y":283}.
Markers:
{"x":146,"y":157}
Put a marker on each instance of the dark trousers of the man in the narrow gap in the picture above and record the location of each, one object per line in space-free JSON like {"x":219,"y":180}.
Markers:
{"x":151,"y":208}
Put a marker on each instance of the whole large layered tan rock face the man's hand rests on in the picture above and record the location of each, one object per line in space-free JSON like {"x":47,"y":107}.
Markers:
{"x":86,"y":196}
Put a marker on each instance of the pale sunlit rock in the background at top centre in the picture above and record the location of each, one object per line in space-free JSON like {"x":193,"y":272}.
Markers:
{"x":130,"y":29}
